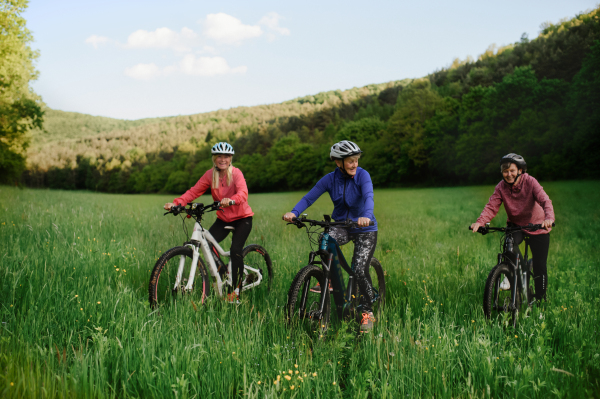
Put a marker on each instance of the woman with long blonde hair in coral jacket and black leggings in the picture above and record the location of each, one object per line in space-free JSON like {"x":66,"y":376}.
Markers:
{"x":226,"y":184}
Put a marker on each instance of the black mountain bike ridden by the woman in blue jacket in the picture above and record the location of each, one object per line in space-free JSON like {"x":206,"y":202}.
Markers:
{"x":309,"y":302}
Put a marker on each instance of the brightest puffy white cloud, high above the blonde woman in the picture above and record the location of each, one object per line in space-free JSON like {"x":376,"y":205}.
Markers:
{"x":229,"y":30}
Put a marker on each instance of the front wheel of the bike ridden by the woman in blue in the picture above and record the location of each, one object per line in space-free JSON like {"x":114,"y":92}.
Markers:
{"x":303,"y":304}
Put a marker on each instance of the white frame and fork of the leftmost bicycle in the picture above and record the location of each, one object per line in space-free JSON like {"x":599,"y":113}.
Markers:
{"x":200,"y":240}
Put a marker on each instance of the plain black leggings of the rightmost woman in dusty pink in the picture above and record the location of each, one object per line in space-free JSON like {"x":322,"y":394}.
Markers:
{"x":539,"y":245}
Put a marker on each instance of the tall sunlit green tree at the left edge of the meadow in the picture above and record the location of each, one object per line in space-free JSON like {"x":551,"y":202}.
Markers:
{"x":20,"y":107}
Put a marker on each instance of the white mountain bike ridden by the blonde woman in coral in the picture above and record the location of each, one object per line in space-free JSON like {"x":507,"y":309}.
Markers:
{"x":180,"y":271}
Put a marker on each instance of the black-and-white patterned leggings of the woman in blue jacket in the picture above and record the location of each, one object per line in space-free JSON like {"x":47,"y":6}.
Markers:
{"x":364,"y":247}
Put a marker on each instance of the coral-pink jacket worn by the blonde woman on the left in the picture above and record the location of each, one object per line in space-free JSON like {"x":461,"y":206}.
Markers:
{"x":238,"y":192}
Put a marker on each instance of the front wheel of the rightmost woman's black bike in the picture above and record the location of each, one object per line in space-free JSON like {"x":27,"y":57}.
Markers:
{"x":496,"y":301}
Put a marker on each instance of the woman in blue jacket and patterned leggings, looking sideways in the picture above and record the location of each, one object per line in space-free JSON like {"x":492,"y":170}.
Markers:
{"x":351,"y":191}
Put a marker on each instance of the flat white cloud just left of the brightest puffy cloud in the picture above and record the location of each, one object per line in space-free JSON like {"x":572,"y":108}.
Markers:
{"x":163,"y":38}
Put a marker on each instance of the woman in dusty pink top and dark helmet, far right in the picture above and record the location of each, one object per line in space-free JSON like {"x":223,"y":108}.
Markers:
{"x":525,"y":202}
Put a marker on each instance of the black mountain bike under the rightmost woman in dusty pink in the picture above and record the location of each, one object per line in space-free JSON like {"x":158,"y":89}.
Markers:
{"x":509,"y":283}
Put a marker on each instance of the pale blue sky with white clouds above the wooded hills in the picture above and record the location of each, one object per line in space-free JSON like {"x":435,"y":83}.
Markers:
{"x":136,"y":59}
